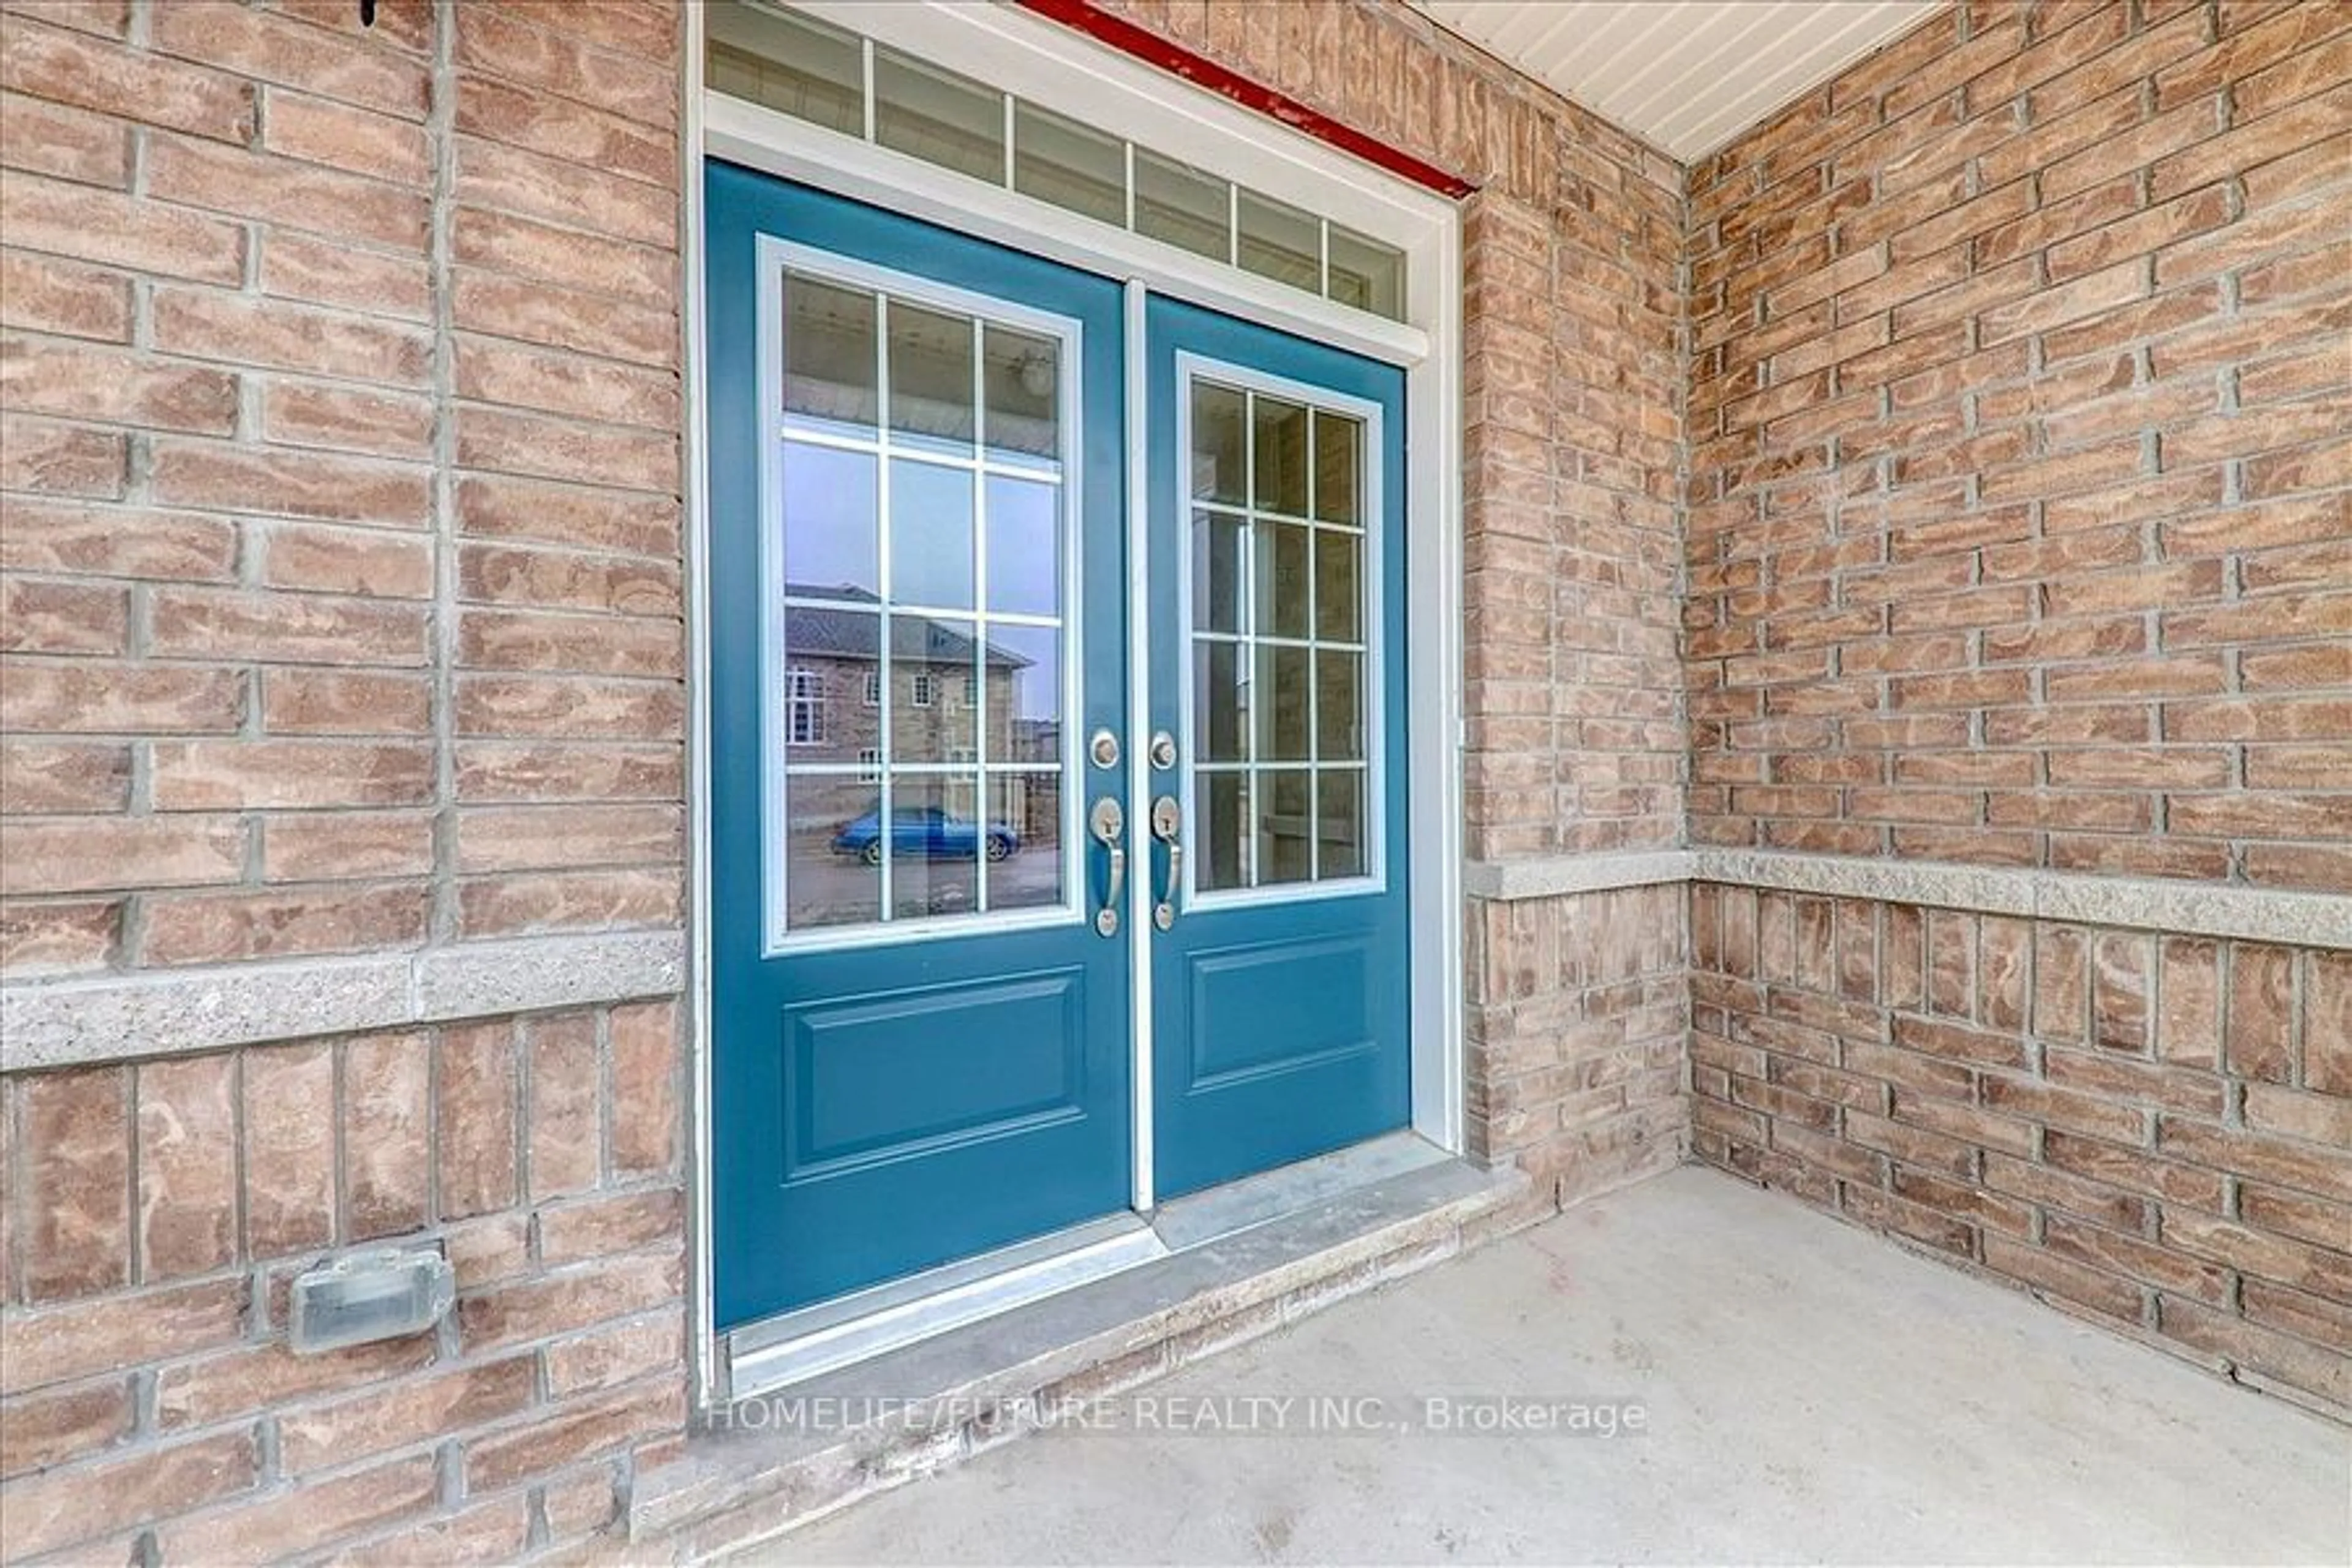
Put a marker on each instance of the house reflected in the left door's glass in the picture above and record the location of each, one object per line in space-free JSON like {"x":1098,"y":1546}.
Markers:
{"x":944,"y":685}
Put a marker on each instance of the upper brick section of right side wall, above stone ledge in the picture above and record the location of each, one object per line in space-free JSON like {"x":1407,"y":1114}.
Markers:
{"x":2022,"y":490}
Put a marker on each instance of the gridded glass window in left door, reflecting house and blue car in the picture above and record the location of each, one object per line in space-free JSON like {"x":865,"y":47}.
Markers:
{"x":921,"y":608}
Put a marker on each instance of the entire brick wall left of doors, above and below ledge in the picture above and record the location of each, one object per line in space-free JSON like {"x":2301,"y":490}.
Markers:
{"x":340,"y":584}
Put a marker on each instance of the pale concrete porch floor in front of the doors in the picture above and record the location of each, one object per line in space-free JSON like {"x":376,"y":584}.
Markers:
{"x":1812,"y":1395}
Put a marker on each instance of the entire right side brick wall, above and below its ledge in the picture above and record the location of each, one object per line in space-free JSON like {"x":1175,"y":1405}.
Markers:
{"x":2022,"y":537}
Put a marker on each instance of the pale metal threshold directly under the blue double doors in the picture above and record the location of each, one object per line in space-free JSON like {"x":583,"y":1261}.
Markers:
{"x":848,"y":1329}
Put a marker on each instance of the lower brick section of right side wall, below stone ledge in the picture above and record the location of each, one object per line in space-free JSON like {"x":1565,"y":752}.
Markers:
{"x":2153,"y":1132}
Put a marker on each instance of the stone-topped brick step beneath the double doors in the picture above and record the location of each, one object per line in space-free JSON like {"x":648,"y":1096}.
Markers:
{"x":784,"y":1459}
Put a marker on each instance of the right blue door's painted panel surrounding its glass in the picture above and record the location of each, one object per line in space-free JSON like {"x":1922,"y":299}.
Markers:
{"x":1281,"y":1031}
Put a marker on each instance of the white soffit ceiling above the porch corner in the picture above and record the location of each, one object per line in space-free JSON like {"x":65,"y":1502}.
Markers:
{"x":1685,"y":74}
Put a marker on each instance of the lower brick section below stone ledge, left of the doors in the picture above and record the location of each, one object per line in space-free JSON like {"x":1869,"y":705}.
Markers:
{"x":156,"y":1214}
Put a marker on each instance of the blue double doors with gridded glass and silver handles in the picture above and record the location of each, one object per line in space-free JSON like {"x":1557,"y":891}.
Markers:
{"x":1043,"y":746}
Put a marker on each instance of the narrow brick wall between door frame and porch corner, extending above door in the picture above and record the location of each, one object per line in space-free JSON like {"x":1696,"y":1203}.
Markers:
{"x":1572,"y":556}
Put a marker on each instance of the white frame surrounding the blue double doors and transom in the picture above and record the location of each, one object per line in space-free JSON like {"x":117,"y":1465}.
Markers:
{"x":1088,"y":81}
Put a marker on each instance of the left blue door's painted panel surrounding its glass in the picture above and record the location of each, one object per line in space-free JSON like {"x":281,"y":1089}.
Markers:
{"x":893,"y":1106}
